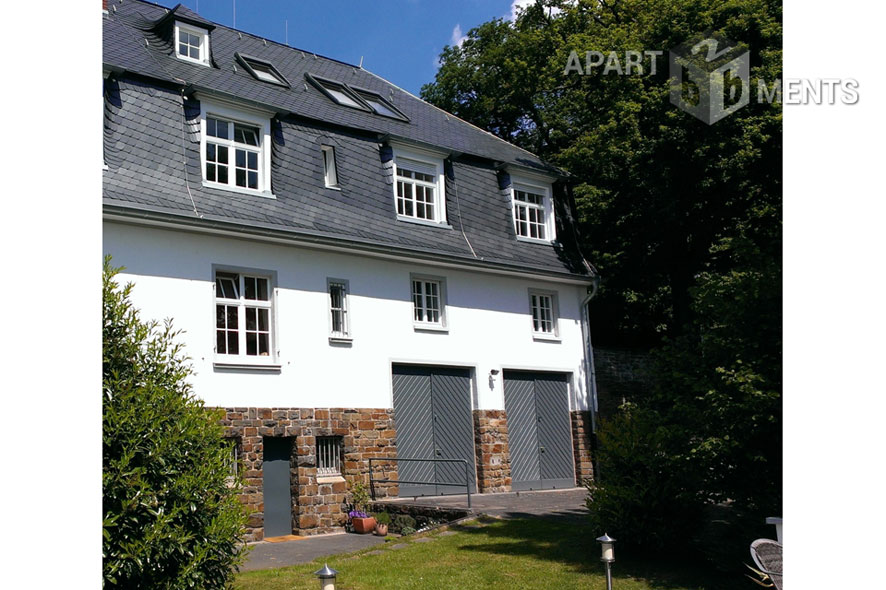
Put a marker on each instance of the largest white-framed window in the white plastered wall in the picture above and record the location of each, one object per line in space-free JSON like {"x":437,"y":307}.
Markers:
{"x":244,"y":317}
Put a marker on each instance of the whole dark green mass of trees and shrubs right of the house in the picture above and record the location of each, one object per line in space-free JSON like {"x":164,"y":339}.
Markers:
{"x":683,"y":220}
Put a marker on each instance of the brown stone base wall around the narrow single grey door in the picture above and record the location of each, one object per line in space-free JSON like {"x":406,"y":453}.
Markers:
{"x":317,"y":506}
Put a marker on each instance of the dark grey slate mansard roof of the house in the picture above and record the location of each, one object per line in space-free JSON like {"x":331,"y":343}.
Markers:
{"x":150,"y":130}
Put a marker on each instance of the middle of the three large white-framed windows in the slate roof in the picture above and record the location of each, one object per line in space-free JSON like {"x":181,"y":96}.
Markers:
{"x":419,"y":189}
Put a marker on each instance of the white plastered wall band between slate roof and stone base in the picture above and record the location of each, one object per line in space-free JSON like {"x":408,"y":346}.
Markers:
{"x":488,"y":322}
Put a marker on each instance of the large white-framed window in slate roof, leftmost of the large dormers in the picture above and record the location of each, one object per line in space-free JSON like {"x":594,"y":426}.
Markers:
{"x":235,"y":148}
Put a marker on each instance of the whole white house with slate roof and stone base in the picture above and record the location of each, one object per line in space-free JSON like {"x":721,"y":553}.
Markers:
{"x":358,"y":274}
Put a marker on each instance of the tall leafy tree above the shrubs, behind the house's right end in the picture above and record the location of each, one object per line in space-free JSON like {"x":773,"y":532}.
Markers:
{"x":656,"y":189}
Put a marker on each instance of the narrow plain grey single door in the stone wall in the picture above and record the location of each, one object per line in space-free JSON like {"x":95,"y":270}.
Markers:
{"x":276,"y":486}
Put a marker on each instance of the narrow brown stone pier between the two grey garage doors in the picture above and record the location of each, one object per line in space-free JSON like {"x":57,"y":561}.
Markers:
{"x":493,"y":455}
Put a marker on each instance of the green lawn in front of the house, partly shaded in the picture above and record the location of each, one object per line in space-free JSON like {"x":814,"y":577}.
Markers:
{"x":502,"y":554}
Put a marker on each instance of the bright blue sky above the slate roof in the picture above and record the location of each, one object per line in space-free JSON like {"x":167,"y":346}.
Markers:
{"x":399,"y":40}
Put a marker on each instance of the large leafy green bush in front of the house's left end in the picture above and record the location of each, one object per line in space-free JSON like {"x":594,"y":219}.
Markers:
{"x":171,"y":516}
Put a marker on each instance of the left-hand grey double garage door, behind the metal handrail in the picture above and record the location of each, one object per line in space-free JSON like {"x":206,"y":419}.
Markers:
{"x":432,"y":412}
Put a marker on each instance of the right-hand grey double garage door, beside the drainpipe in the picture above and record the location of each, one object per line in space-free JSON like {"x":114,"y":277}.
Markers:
{"x":539,"y":430}
